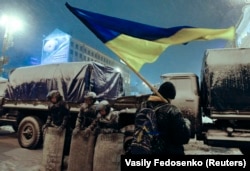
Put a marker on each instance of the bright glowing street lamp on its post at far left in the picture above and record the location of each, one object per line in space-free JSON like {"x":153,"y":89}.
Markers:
{"x":10,"y":25}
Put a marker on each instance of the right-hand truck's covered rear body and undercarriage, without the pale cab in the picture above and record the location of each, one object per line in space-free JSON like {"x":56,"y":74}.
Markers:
{"x":225,"y":97}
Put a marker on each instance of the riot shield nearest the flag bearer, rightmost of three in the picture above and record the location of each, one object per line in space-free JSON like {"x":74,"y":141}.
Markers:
{"x":108,"y":151}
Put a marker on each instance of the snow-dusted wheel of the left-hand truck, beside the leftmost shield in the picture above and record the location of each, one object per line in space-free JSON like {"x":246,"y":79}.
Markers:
{"x":30,"y":132}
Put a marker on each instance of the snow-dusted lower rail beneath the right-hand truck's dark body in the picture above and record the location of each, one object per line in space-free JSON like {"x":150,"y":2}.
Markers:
{"x":219,"y":138}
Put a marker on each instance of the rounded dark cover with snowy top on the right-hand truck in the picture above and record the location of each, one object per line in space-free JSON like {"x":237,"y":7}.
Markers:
{"x":225,"y":79}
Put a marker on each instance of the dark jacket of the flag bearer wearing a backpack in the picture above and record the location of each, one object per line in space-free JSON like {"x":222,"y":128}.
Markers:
{"x":174,"y":129}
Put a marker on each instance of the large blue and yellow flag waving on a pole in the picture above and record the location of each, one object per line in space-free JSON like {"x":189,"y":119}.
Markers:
{"x":136,"y":43}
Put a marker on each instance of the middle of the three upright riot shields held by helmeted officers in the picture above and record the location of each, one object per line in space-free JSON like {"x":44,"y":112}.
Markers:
{"x":81,"y":152}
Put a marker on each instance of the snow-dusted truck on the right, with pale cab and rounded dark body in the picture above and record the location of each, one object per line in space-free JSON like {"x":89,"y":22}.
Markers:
{"x":218,"y":102}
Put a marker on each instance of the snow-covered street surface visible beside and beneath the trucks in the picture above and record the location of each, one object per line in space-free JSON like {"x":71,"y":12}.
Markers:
{"x":14,"y":158}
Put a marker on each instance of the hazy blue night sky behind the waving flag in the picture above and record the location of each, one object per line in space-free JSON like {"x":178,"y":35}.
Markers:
{"x":41,"y":17}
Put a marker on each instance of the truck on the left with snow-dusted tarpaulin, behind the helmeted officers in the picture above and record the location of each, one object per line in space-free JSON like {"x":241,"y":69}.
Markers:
{"x":23,"y":102}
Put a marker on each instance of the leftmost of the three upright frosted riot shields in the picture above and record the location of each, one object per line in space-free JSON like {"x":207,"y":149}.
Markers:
{"x":53,"y":150}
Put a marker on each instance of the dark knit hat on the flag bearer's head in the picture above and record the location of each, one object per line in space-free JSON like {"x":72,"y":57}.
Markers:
{"x":167,"y":90}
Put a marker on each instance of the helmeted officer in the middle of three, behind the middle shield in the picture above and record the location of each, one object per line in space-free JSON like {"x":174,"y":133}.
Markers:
{"x":87,"y":112}
